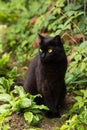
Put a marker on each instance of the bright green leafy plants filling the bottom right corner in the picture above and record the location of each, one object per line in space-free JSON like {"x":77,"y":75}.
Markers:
{"x":78,"y":113}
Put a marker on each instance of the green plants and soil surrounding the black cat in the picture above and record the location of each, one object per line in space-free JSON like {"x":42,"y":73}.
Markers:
{"x":20,"y":23}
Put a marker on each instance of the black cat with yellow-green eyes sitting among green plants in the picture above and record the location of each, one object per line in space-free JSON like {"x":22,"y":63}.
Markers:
{"x":46,"y":73}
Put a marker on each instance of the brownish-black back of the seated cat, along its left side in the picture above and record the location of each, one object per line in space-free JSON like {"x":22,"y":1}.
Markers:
{"x":30,"y":80}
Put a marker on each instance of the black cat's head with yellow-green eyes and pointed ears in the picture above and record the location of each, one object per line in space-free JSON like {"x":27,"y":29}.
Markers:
{"x":50,"y":49}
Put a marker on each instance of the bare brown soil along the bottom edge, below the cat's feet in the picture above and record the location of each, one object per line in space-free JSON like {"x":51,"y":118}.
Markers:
{"x":17,"y":122}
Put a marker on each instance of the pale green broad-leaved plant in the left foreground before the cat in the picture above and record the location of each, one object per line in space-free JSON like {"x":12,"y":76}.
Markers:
{"x":22,"y":100}
